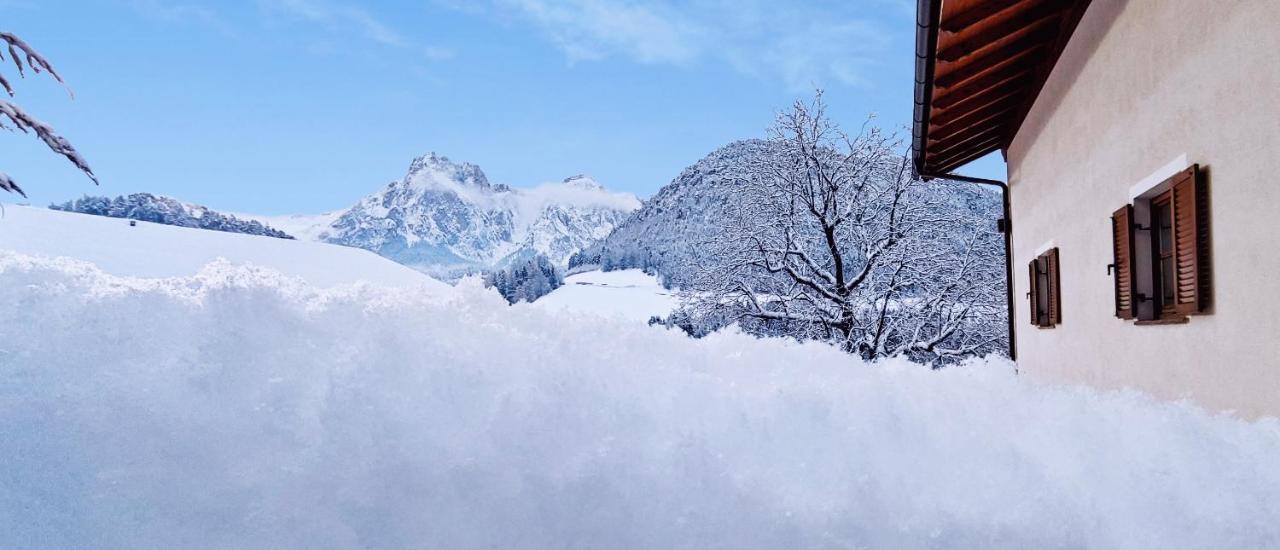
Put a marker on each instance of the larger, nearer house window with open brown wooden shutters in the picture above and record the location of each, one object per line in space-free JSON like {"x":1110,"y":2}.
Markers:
{"x":1160,"y":247}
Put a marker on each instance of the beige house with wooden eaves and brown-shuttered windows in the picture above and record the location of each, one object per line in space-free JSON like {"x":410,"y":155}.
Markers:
{"x":1142,"y":201}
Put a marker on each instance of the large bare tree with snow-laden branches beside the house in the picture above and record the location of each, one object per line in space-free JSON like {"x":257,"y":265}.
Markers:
{"x":835,"y":240}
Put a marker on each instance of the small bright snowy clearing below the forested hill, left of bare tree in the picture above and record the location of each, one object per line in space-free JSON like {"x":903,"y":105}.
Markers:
{"x":625,"y":294}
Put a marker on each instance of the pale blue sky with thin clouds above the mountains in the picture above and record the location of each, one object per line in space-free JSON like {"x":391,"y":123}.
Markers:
{"x":278,"y":107}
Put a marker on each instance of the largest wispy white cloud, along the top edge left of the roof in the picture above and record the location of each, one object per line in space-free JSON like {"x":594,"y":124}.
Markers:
{"x":802,"y":44}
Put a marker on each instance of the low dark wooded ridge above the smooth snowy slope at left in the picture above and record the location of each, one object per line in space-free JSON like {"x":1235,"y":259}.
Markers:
{"x":168,"y":212}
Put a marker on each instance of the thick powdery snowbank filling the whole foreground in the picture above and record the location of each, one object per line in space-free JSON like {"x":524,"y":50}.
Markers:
{"x":245,"y":410}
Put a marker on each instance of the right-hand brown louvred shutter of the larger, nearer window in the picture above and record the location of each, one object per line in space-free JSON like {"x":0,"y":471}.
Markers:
{"x":1191,"y":242}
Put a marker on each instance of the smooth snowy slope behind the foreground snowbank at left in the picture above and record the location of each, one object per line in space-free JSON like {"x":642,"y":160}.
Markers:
{"x":166,"y":251}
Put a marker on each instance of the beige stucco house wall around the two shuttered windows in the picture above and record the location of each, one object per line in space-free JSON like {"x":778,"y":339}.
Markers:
{"x":1141,"y":84}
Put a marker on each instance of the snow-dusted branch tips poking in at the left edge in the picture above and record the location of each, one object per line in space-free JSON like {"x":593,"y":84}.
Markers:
{"x":28,"y":58}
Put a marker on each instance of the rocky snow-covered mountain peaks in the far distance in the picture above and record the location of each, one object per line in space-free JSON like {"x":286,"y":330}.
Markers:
{"x":447,"y":219}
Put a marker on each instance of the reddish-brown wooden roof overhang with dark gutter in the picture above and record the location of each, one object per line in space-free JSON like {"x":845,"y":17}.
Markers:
{"x":980,"y":66}
